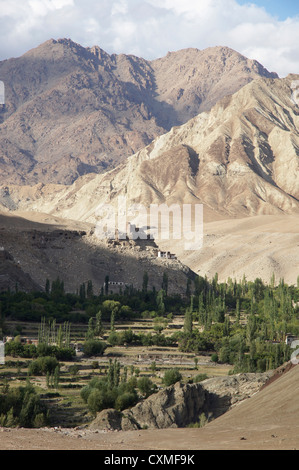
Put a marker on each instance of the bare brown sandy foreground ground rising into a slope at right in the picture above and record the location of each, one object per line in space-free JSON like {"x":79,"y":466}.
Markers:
{"x":267,"y":421}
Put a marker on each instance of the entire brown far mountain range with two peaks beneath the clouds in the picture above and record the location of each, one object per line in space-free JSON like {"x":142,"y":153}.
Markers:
{"x":71,"y":111}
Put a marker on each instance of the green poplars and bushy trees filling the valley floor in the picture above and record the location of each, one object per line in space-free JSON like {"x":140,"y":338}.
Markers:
{"x":241,"y":323}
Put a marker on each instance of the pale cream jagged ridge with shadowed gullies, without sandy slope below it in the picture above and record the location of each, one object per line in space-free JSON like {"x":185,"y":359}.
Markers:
{"x":238,"y":160}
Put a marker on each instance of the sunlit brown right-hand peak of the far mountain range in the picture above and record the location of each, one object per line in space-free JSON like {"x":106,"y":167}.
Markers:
{"x":192,"y":80}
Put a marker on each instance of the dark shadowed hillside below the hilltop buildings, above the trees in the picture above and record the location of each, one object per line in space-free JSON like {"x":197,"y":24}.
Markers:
{"x":46,"y":247}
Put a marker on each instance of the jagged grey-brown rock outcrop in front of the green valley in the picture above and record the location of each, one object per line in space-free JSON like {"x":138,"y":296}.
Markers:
{"x":179,"y":405}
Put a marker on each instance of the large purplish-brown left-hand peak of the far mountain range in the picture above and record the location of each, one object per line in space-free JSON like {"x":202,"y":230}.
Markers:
{"x":67,"y":114}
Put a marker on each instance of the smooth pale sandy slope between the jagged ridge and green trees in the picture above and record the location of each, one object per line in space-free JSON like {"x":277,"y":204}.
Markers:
{"x":255,"y":246}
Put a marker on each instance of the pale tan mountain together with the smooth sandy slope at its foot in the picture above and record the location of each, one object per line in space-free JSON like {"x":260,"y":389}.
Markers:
{"x":238,"y":160}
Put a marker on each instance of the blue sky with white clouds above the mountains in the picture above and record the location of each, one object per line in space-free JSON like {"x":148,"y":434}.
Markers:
{"x":264,"y":30}
